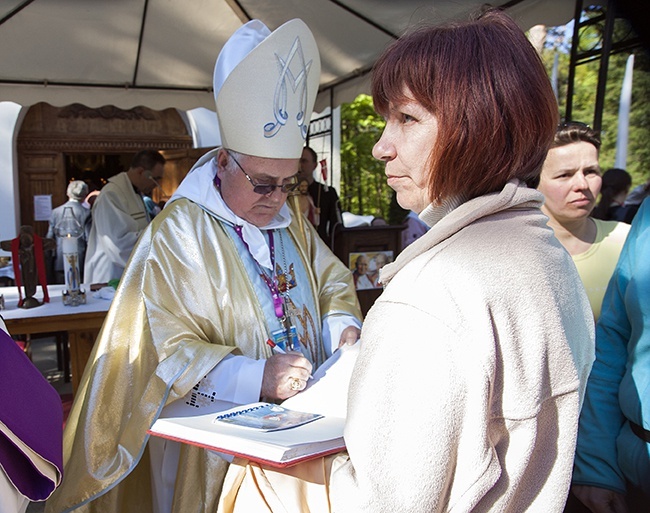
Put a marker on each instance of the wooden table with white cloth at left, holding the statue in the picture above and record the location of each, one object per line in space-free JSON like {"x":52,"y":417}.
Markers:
{"x":82,"y":323}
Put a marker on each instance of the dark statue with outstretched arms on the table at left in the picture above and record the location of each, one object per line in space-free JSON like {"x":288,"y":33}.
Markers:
{"x":29,"y":264}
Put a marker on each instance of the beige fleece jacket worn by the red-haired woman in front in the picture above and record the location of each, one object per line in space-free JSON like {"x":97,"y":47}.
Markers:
{"x":467,"y":391}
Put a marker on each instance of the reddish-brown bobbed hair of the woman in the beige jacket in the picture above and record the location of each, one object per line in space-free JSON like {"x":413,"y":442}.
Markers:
{"x":490,"y":93}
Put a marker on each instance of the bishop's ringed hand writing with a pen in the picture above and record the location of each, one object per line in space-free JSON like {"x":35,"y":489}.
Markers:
{"x":285,"y":375}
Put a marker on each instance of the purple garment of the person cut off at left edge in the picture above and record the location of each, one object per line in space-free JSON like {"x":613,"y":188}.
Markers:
{"x":32,"y":410}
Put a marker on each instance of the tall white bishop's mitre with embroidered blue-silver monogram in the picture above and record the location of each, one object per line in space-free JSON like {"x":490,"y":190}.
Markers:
{"x":265,"y":85}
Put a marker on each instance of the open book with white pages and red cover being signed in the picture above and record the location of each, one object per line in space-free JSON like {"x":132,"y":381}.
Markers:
{"x":312,"y":430}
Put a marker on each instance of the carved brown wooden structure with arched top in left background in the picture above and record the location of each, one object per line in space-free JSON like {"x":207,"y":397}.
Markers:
{"x":49,"y":134}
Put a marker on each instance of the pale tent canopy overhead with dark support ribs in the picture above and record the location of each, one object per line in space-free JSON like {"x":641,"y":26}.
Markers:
{"x":161,"y":53}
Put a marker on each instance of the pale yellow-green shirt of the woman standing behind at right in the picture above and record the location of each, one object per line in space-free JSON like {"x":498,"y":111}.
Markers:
{"x":596,"y":265}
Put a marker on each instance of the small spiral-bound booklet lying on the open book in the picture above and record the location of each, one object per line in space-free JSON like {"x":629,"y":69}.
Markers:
{"x":265,"y":417}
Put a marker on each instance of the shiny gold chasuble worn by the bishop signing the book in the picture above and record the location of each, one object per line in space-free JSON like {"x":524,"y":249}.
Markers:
{"x":184,"y":302}
